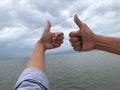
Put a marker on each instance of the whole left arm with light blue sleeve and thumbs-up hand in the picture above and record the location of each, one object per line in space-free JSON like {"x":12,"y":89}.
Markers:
{"x":33,"y":76}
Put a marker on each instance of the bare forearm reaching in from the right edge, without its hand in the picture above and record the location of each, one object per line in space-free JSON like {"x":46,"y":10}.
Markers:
{"x":109,"y":44}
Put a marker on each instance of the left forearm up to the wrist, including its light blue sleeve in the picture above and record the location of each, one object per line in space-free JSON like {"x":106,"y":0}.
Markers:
{"x":33,"y":76}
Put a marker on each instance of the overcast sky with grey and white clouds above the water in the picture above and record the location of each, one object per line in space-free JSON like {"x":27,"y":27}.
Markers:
{"x":22,"y":22}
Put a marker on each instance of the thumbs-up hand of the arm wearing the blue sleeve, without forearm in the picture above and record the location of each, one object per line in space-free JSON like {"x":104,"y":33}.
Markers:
{"x":49,"y":39}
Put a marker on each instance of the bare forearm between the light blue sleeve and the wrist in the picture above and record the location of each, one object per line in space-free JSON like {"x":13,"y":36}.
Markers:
{"x":37,"y":59}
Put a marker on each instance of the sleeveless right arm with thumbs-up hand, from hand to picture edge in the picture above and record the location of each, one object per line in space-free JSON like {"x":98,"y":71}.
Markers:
{"x":84,"y":39}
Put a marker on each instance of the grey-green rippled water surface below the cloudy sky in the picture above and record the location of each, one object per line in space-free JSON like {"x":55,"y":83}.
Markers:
{"x":78,"y":71}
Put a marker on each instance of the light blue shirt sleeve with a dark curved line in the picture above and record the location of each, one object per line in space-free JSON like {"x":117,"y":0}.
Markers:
{"x":32,"y":79}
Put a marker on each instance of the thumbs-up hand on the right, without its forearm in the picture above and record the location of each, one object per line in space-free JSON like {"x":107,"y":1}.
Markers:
{"x":83,"y":39}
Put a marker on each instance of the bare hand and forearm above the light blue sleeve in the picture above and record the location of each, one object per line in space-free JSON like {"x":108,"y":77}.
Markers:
{"x":48,"y":40}
